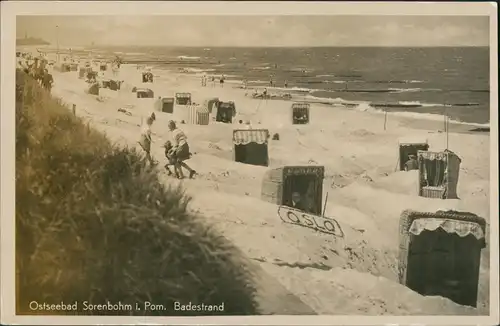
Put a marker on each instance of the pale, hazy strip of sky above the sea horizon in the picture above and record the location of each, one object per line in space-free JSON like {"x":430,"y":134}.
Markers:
{"x":261,"y":31}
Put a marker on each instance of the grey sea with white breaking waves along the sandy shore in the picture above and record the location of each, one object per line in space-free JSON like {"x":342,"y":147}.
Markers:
{"x":426,"y":80}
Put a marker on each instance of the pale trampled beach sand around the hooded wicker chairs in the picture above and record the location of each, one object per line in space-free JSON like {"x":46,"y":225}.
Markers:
{"x":356,"y":274}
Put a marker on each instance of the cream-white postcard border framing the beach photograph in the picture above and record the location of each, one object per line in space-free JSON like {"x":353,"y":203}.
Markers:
{"x":9,"y":9}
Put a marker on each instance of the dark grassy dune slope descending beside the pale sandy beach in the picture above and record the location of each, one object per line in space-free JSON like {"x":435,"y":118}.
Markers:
{"x":94,"y":224}
